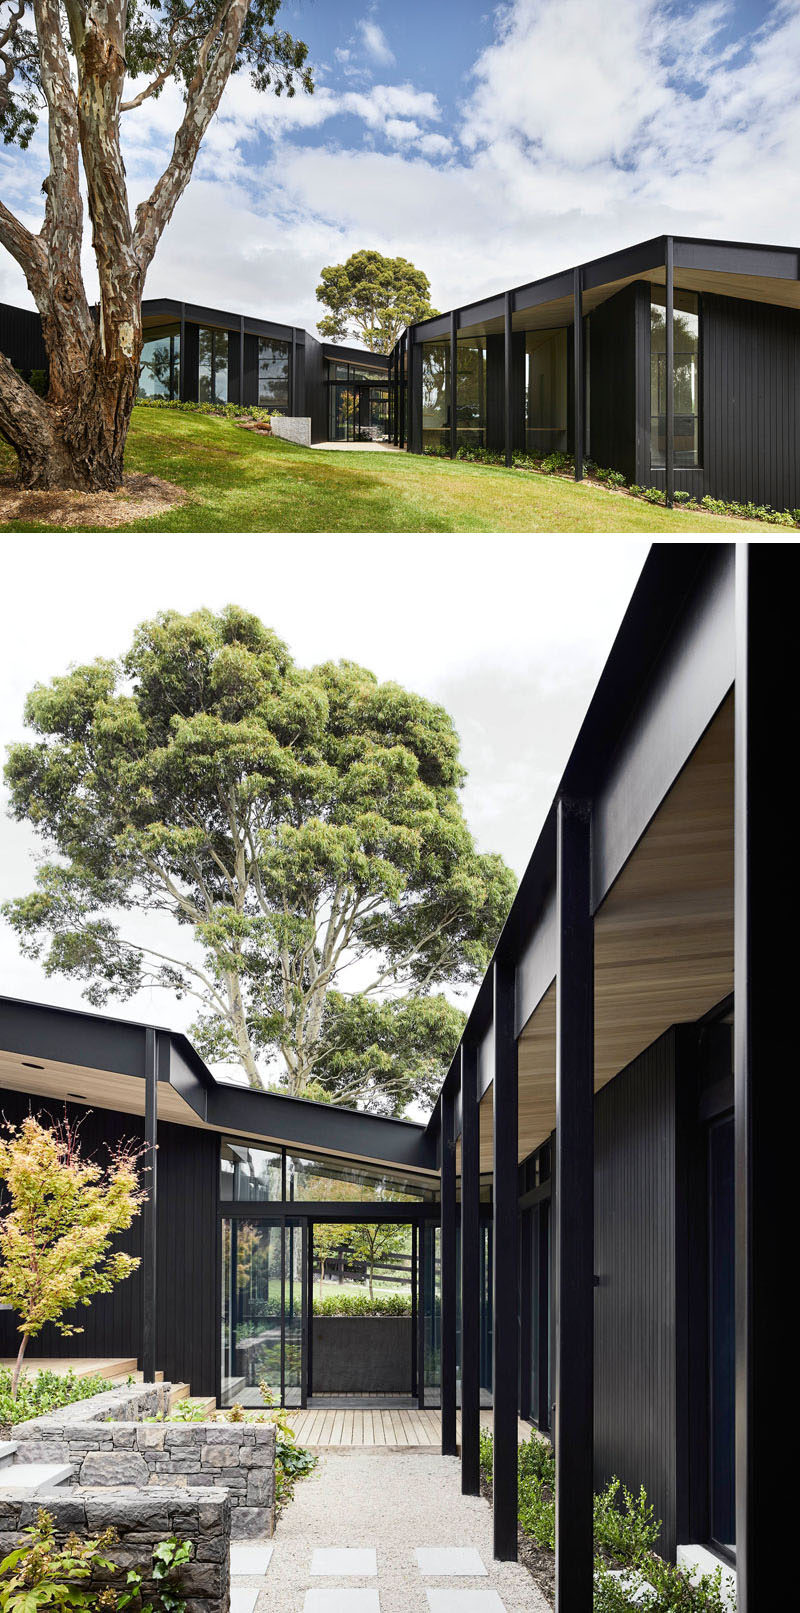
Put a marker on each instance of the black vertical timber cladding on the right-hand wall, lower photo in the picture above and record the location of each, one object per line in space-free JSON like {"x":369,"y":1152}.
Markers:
{"x":636,"y":1296}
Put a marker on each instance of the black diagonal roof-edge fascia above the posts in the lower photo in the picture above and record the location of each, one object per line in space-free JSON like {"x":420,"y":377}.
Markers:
{"x":673,"y":573}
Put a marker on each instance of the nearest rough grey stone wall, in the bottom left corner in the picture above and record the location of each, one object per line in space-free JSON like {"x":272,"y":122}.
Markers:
{"x":141,"y":1522}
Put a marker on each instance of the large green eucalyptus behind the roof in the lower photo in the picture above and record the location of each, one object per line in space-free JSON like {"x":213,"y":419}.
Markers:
{"x":304,"y":830}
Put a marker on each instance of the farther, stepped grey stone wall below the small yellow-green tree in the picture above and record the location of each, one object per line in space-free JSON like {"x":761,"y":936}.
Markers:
{"x":109,"y":1446}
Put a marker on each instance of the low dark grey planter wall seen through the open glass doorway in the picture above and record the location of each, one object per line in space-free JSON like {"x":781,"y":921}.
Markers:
{"x":362,"y":1356}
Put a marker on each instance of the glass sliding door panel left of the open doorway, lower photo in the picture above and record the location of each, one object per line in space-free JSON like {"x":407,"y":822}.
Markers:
{"x":264,"y":1312}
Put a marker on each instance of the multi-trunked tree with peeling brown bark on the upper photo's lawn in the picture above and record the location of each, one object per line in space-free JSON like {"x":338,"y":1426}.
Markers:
{"x":72,"y":59}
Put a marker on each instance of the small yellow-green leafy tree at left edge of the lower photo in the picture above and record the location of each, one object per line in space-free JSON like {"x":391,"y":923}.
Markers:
{"x":56,"y":1233}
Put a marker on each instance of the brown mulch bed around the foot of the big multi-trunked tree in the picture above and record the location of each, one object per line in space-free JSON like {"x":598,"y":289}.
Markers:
{"x":138,"y":499}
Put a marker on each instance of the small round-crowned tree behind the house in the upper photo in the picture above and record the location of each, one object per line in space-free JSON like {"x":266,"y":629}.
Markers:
{"x":373,"y":299}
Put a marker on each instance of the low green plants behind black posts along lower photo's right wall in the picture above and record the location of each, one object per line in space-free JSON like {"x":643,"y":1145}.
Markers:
{"x":630,"y":1575}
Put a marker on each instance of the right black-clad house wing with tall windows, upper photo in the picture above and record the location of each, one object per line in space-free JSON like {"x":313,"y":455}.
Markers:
{"x":706,"y":402}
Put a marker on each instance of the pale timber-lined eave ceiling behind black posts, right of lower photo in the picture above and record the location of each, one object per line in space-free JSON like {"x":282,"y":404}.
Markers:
{"x":664,"y":938}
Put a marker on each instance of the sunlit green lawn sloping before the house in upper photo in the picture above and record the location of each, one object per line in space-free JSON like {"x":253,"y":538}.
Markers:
{"x":244,"y":483}
